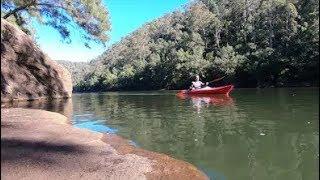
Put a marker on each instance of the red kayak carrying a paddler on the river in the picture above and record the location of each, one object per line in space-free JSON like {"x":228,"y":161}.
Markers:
{"x":209,"y":90}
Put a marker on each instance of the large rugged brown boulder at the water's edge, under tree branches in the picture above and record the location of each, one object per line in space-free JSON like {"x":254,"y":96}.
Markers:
{"x":26,"y":72}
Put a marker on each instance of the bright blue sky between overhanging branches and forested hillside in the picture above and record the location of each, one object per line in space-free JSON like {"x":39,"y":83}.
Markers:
{"x":125,"y":16}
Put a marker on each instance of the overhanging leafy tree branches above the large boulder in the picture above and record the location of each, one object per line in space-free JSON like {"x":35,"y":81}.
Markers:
{"x":91,"y":16}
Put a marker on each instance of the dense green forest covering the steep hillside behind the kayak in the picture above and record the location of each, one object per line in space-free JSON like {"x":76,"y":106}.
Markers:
{"x":253,"y":43}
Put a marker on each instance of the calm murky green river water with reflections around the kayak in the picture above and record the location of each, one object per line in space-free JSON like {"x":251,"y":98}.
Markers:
{"x":253,"y":134}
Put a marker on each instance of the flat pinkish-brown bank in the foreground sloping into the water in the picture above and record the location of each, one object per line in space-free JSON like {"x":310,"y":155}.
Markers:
{"x":37,"y":144}
